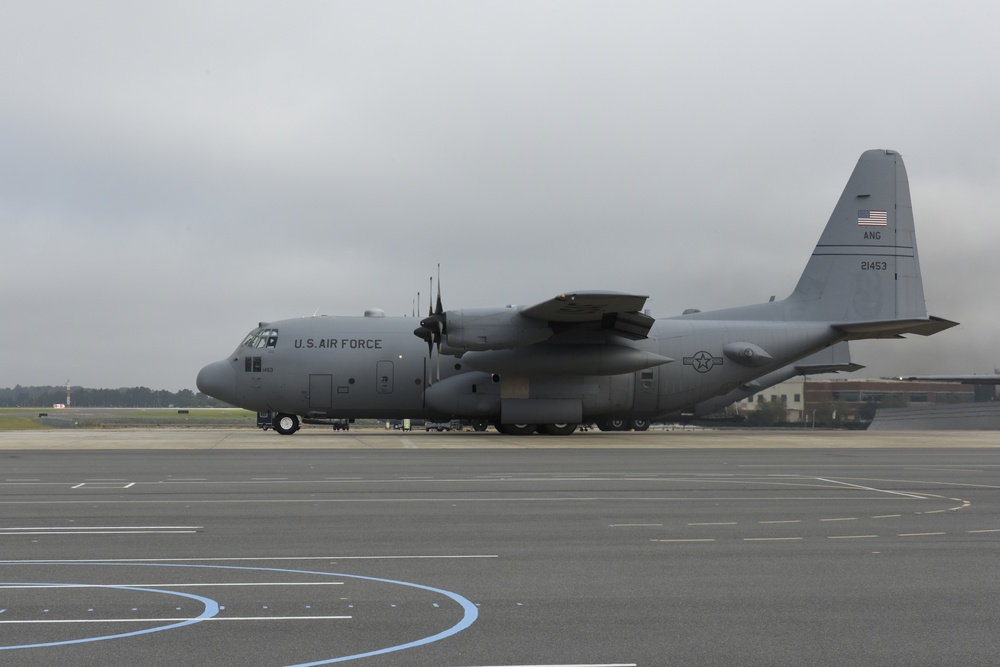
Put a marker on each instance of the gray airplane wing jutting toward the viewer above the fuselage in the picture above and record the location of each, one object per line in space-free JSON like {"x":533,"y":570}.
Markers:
{"x":612,"y":310}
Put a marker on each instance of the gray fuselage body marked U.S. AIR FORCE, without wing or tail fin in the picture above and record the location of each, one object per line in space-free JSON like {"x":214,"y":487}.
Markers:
{"x":374,"y":367}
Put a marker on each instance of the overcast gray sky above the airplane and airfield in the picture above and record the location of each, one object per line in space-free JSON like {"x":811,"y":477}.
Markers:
{"x":173,"y":173}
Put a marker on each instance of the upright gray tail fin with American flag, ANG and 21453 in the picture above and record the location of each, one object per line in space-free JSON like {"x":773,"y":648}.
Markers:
{"x":865,"y":267}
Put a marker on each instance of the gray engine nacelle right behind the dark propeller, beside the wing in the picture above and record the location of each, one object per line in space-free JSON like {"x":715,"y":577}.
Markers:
{"x":492,"y":329}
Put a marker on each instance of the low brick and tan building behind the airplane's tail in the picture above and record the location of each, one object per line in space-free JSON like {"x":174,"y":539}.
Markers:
{"x":843,"y":401}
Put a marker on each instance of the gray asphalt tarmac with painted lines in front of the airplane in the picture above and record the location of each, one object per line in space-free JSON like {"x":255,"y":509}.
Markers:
{"x":196,"y":547}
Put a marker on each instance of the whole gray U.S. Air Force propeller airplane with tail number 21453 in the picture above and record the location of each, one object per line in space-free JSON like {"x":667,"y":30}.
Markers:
{"x":592,"y":356}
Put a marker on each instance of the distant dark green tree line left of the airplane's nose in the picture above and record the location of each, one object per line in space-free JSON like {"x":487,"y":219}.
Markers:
{"x":124,"y":397}
